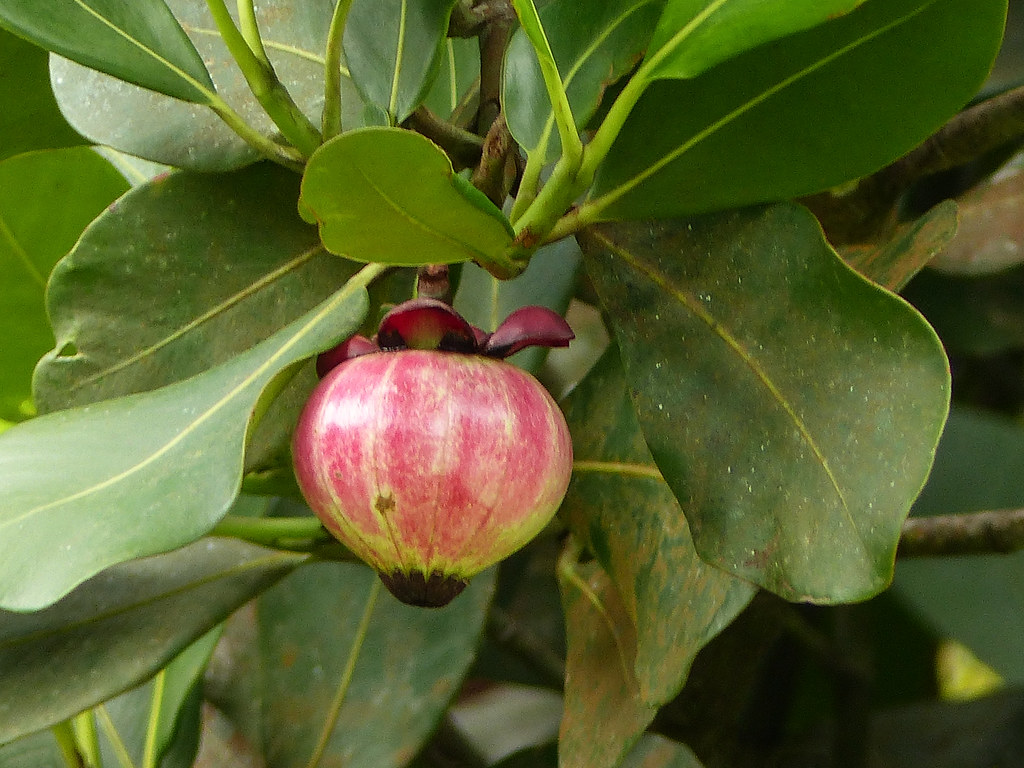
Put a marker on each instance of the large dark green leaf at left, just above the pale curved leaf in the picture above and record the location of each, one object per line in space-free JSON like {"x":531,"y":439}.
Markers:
{"x":182,"y":275}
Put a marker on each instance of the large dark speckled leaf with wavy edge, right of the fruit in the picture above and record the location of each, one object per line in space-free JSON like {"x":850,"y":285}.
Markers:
{"x":793,"y":407}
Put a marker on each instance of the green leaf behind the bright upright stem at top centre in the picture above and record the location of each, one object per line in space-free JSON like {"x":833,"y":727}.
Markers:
{"x":592,"y":49}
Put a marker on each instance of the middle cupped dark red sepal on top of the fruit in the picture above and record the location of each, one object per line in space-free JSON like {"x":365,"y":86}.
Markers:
{"x":426,"y":324}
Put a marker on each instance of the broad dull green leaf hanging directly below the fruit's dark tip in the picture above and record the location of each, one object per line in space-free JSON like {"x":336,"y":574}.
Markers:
{"x":404,"y":670}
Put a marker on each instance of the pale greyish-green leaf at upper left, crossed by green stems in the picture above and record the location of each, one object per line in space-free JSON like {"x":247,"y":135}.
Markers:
{"x":141,"y":122}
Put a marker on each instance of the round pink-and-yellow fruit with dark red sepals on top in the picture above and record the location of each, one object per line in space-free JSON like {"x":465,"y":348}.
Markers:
{"x":428,"y":455}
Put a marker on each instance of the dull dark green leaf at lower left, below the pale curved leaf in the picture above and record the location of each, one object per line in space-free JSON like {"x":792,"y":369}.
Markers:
{"x":121,"y":627}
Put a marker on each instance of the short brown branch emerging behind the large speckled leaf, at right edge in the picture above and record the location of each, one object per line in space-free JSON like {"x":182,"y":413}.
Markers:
{"x":993,"y":532}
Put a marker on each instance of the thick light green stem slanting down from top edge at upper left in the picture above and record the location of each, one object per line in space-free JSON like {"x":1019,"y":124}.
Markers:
{"x":274,"y":98}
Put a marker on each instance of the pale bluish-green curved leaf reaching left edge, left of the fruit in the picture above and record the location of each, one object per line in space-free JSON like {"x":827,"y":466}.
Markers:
{"x":141,"y":475}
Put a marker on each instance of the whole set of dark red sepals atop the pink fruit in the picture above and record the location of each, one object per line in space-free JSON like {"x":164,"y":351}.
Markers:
{"x":429,"y":324}
